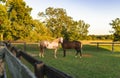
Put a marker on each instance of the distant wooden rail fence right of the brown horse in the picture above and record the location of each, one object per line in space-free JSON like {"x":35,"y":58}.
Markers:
{"x":107,"y":43}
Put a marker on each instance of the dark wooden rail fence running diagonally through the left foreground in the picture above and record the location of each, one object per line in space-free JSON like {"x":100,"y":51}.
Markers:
{"x":41,"y":70}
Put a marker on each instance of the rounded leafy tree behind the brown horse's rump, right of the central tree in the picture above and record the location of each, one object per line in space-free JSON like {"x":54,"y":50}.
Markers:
{"x":77,"y":30}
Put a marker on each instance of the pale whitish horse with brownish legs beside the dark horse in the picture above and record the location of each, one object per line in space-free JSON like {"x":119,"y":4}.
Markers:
{"x":50,"y":45}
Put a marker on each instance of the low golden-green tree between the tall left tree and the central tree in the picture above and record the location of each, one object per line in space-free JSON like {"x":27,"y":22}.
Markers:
{"x":39,"y":32}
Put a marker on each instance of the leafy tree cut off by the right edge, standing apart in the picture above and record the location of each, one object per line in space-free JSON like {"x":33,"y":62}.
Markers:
{"x":116,"y":26}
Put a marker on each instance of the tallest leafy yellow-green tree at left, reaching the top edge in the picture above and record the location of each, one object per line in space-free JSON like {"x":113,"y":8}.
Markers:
{"x":21,"y":21}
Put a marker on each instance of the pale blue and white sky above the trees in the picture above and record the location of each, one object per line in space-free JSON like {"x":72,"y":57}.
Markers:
{"x":97,"y":13}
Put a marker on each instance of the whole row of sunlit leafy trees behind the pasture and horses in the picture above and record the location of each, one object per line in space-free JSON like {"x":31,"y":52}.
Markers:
{"x":17,"y":24}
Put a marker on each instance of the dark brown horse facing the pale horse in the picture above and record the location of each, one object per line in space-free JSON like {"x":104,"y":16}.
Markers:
{"x":72,"y":45}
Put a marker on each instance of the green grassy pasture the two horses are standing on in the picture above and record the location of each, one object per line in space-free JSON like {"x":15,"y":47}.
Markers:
{"x":95,"y":63}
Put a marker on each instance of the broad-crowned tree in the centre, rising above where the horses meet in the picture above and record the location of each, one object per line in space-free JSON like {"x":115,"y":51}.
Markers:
{"x":56,"y":19}
